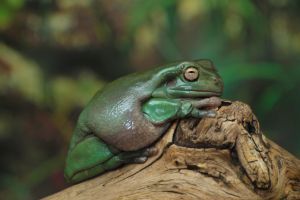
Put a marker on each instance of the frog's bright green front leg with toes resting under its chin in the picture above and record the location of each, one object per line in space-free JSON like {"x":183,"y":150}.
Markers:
{"x":160,"y":111}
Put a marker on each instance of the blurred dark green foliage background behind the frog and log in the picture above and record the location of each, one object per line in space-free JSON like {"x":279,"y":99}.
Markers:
{"x":54,"y":55}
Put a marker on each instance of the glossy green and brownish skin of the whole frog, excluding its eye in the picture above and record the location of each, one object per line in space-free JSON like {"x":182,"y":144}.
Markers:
{"x":132,"y":112}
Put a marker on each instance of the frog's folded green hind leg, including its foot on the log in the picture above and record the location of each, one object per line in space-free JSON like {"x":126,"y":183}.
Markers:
{"x":92,"y":156}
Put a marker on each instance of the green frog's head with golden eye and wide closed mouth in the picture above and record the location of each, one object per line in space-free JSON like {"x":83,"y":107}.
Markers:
{"x":198,"y":79}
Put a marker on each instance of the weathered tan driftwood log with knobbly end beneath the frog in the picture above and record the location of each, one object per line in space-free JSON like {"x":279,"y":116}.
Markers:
{"x":226,"y":157}
